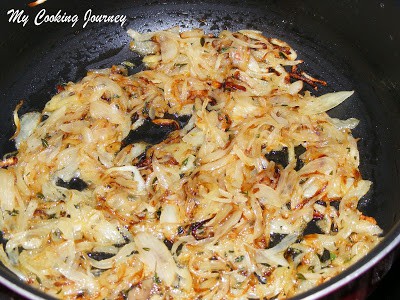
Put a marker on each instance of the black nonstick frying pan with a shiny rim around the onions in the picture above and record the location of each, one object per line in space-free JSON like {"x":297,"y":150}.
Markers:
{"x":351,"y":45}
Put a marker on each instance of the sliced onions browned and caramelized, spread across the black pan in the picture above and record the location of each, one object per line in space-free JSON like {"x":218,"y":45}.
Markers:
{"x":211,"y":174}
